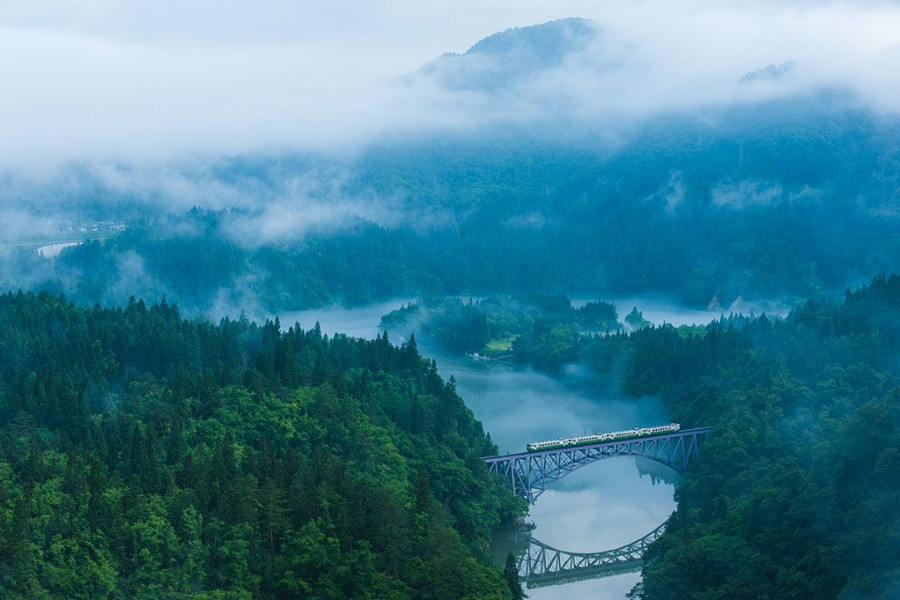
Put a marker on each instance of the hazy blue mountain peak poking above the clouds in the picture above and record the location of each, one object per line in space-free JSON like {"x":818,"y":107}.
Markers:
{"x":510,"y":57}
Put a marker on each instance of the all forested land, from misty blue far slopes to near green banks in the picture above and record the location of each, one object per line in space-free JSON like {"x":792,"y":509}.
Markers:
{"x":148,"y":454}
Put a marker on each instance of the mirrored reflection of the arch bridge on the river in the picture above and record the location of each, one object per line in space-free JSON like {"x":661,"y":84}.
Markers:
{"x":542,"y":565}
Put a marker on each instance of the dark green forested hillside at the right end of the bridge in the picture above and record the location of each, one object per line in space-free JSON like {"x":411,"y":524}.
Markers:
{"x":795,"y":494}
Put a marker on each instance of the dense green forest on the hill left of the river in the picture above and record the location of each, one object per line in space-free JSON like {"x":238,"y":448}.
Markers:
{"x":145,"y":455}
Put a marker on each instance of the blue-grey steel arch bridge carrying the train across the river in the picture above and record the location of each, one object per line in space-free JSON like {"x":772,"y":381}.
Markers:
{"x":530,"y":474}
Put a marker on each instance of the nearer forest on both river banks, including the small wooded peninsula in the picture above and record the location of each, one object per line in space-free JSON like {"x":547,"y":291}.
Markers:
{"x":179,"y":457}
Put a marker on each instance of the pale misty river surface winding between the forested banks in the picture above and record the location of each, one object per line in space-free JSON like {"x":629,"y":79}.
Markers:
{"x":603,"y":506}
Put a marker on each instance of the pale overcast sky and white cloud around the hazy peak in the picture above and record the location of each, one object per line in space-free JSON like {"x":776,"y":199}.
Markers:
{"x":106,"y":79}
